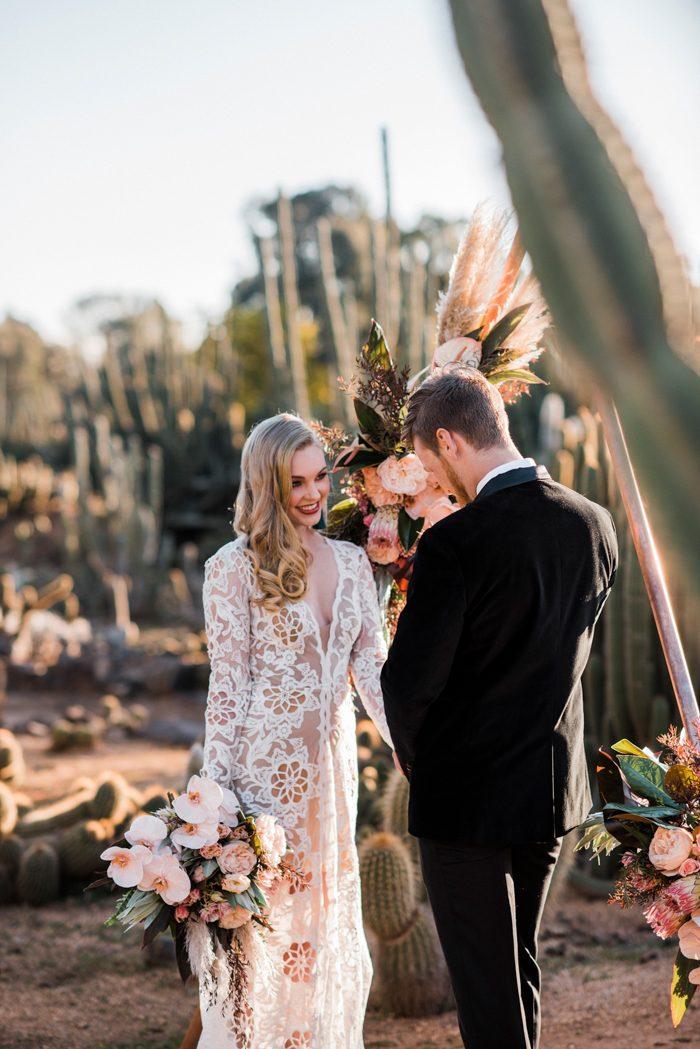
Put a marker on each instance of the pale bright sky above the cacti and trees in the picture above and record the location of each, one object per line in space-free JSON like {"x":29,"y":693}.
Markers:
{"x":136,"y":132}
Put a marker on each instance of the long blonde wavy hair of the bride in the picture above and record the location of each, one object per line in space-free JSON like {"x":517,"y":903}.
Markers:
{"x":280,"y":561}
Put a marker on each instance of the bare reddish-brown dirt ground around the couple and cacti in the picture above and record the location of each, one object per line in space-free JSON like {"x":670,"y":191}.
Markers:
{"x":68,"y":982}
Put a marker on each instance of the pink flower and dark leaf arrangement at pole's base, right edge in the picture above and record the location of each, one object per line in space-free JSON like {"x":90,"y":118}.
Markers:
{"x":652,"y":809}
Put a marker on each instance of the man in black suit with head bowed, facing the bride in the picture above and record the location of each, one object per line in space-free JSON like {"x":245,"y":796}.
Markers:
{"x":483,"y":696}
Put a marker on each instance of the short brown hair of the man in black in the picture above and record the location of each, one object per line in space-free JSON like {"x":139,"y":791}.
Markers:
{"x":458,"y":399}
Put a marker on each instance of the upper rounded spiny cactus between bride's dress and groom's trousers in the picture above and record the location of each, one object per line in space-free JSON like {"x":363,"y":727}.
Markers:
{"x":389,"y":885}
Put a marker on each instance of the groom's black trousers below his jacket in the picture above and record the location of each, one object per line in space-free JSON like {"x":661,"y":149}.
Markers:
{"x":489,"y":902}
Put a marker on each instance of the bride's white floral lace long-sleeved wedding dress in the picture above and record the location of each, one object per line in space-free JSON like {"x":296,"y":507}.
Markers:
{"x":281,"y":734}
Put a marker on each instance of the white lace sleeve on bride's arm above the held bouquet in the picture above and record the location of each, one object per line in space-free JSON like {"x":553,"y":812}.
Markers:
{"x":226,"y":598}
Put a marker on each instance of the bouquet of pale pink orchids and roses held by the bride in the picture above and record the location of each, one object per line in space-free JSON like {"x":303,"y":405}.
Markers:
{"x":203,"y":870}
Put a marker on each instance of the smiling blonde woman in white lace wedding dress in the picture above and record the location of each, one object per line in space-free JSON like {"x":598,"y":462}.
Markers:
{"x":290,"y":614}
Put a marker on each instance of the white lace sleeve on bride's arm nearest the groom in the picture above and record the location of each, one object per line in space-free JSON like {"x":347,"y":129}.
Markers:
{"x":370,"y":650}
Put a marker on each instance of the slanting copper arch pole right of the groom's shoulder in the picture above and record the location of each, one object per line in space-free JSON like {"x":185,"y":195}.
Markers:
{"x":651,"y":569}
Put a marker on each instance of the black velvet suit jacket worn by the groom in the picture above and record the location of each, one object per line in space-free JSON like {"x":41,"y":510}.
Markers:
{"x":483,"y":683}
